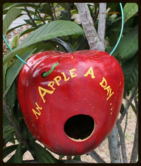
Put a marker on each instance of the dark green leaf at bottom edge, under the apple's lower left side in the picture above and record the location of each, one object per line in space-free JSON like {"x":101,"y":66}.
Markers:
{"x":42,"y":155}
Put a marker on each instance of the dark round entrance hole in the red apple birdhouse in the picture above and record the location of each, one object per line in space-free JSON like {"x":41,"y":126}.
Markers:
{"x":79,"y":127}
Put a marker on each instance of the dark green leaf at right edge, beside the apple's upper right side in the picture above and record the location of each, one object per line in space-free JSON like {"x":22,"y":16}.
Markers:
{"x":130,"y":70}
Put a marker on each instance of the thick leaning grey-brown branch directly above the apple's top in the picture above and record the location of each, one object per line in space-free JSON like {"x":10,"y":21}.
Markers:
{"x":88,"y":26}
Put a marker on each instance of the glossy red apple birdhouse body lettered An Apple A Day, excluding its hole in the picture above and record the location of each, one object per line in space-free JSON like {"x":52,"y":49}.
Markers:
{"x":91,"y":82}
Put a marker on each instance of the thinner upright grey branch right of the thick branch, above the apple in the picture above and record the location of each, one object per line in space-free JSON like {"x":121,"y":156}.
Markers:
{"x":102,"y":21}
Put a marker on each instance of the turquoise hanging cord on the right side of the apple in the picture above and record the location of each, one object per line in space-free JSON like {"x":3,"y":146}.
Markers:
{"x":121,"y":31}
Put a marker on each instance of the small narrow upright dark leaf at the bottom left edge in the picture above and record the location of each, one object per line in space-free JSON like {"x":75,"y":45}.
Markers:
{"x":18,"y":154}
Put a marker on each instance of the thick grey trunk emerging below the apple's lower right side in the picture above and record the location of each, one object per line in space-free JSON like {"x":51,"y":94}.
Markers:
{"x":113,"y":146}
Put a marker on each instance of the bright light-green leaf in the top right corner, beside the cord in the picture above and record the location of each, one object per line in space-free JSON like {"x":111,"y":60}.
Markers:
{"x":130,"y":9}
